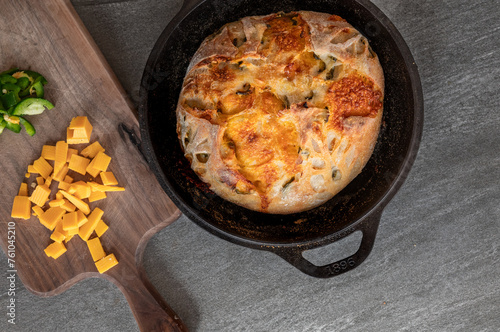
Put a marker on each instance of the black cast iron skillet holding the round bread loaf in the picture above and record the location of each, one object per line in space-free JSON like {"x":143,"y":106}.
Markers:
{"x":357,"y":208}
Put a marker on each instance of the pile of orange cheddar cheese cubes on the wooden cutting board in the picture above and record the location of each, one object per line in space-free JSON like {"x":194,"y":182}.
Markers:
{"x":68,"y":213}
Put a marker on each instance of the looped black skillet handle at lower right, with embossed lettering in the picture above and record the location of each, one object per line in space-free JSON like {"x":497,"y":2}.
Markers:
{"x":368,"y":227}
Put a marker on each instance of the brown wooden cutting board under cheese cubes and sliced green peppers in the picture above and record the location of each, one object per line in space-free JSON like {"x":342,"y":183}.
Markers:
{"x":48,"y":37}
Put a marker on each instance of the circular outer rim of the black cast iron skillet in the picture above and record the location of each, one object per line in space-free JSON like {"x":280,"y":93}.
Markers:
{"x":375,"y":209}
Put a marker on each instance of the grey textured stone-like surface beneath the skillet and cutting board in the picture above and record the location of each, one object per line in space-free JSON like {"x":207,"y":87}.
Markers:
{"x":435,"y":264}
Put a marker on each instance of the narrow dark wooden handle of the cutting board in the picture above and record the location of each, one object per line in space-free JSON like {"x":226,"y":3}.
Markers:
{"x":151,"y":312}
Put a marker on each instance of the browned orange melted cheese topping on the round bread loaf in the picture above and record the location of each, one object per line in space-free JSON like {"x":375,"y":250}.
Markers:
{"x":264,"y":100}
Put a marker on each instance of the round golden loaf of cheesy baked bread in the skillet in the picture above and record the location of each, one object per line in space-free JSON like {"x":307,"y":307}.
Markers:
{"x":278,"y":113}
